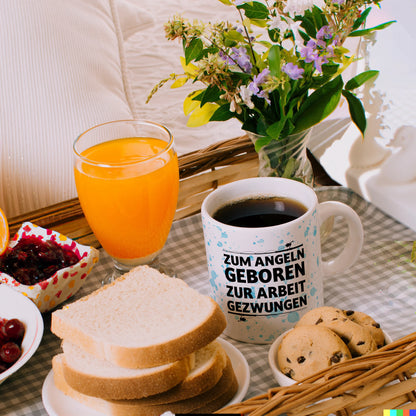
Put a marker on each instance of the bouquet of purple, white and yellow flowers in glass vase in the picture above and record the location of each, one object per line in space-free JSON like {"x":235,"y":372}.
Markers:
{"x":278,"y":70}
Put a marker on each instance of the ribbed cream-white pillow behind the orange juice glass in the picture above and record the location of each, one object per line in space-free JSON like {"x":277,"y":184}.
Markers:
{"x":62,"y":71}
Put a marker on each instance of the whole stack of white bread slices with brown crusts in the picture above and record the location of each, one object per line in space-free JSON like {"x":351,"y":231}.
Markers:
{"x":143,"y":345}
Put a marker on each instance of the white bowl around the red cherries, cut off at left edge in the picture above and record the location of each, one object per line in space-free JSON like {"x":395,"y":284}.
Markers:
{"x":15,"y":305}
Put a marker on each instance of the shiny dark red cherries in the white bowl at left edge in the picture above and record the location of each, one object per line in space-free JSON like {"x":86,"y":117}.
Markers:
{"x":11,"y":336}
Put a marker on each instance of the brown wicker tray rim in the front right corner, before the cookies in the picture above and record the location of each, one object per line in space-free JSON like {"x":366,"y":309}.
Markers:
{"x":362,"y":386}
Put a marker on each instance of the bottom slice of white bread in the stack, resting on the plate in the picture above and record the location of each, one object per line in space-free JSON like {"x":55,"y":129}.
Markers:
{"x":213,"y":399}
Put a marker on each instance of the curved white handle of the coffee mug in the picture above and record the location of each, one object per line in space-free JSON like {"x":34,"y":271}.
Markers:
{"x":353,"y":246}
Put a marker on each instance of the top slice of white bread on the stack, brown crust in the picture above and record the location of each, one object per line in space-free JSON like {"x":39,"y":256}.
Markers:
{"x":140,"y":320}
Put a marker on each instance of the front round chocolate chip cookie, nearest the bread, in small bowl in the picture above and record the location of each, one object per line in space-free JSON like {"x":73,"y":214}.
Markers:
{"x":306,"y":349}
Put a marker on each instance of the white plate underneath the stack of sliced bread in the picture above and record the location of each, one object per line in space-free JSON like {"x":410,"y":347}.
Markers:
{"x":57,"y":403}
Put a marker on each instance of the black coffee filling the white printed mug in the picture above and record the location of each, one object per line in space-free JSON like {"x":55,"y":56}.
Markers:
{"x":260,"y":212}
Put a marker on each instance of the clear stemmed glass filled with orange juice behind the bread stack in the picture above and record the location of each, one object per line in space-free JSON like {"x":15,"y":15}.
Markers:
{"x":127,"y":178}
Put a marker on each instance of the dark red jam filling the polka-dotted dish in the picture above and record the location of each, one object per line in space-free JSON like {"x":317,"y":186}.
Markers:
{"x":33,"y":260}
